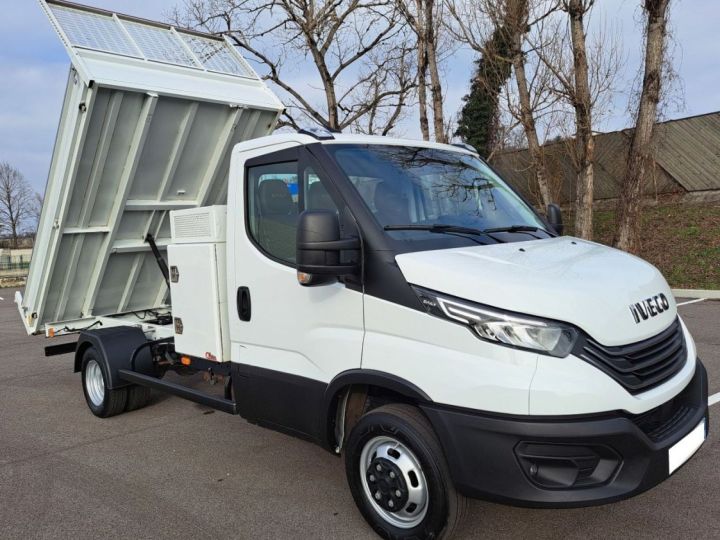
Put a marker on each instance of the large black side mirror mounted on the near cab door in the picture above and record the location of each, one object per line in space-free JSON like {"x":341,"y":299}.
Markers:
{"x":319,"y":246}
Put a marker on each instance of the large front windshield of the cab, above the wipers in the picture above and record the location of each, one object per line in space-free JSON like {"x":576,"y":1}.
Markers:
{"x":426,"y":186}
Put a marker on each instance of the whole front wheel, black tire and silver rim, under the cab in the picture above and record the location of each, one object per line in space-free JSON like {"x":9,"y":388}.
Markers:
{"x":398,"y":476}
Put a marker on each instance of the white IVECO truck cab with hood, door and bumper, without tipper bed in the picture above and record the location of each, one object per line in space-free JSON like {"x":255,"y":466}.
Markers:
{"x":368,"y":270}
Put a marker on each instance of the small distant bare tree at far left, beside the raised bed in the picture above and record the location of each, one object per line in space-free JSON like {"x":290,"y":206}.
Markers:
{"x":16,"y":199}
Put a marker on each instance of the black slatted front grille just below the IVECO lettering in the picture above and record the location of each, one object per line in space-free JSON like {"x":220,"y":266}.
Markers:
{"x":642,"y":365}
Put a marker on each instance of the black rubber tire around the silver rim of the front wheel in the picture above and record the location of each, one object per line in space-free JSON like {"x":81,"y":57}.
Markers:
{"x":407,"y":425}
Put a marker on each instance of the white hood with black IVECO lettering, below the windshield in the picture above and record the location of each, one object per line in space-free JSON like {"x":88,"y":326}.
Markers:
{"x":607,"y":293}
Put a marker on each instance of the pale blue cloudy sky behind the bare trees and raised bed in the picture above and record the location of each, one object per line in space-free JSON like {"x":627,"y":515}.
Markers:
{"x":34,"y":66}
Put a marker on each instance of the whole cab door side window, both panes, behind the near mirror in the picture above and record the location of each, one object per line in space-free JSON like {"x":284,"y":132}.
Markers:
{"x":276,"y":196}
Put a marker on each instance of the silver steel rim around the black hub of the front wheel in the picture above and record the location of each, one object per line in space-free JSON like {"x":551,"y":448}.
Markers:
{"x":408,"y":516}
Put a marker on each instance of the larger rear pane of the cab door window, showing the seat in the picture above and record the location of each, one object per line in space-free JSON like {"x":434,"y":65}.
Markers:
{"x":272,"y":207}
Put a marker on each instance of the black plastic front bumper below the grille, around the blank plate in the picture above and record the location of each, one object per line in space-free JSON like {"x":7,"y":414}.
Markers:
{"x":566,"y":461}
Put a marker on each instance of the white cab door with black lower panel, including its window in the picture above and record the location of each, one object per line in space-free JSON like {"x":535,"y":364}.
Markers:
{"x":288,"y":340}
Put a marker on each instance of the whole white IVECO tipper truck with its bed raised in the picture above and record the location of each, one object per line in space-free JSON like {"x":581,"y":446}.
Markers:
{"x":394,"y":301}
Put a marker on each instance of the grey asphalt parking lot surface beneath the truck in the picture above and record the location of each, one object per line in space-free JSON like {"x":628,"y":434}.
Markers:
{"x":178,"y":470}
